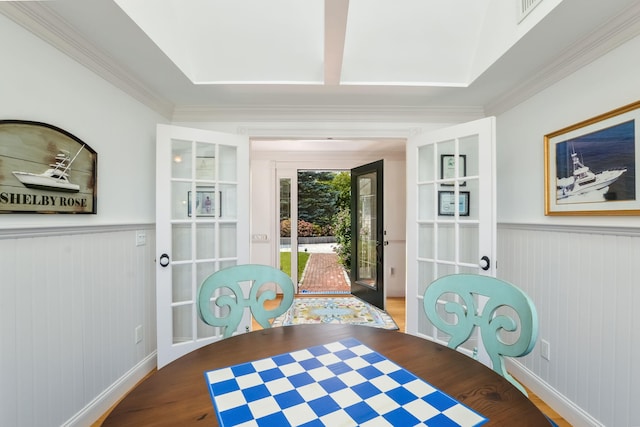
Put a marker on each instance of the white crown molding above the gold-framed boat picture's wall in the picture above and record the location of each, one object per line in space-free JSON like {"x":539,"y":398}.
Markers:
{"x":620,"y":29}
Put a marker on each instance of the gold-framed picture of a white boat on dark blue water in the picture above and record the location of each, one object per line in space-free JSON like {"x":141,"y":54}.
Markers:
{"x":590,"y":167}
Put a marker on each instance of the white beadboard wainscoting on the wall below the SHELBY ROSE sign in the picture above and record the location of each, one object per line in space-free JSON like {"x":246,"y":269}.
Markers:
{"x":69,"y":304}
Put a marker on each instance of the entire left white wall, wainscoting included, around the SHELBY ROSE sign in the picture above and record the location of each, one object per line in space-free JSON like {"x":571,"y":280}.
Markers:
{"x":74,"y":287}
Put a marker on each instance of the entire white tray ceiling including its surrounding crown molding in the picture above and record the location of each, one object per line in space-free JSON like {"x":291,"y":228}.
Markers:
{"x":439,"y":61}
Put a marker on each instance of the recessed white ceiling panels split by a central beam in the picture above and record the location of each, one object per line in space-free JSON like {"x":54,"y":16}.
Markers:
{"x":317,"y":42}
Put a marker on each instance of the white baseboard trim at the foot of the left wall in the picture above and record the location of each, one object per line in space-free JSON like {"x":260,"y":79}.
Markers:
{"x":109,"y":397}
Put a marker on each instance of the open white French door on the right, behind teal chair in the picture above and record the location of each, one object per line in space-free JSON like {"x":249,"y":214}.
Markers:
{"x":450,"y":212}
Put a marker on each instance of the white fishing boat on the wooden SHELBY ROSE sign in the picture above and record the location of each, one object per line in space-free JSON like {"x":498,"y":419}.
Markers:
{"x":56,"y":178}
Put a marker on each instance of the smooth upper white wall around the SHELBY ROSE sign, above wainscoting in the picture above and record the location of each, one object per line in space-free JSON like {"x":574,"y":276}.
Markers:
{"x":38,"y":83}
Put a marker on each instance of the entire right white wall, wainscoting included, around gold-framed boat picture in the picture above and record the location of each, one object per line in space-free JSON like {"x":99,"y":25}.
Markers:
{"x":581,"y":271}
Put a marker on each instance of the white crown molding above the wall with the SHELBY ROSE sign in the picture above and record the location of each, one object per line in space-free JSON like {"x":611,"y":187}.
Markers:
{"x":41,"y":21}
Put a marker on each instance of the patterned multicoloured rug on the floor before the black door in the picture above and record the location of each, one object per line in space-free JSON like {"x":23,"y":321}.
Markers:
{"x":347,"y":310}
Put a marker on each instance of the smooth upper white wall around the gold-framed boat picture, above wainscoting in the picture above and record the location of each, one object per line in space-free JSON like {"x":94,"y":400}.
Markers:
{"x":602,"y":86}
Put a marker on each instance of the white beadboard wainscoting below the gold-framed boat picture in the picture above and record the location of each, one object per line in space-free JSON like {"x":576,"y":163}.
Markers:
{"x":585,"y":283}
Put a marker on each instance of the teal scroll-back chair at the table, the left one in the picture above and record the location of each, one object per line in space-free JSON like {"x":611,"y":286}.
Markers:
{"x":230,"y":278}
